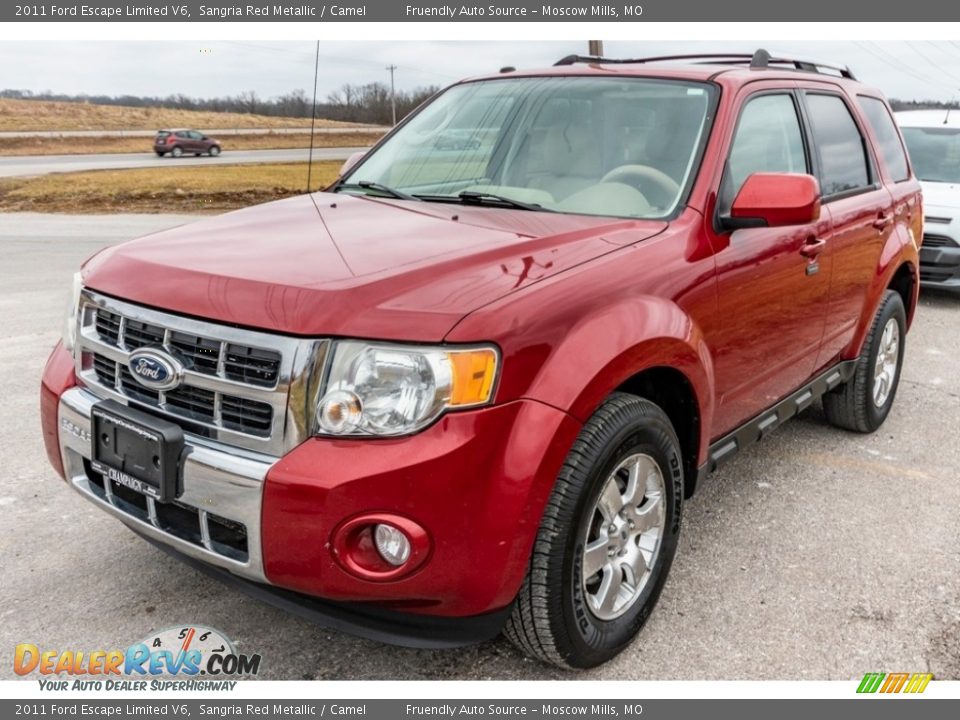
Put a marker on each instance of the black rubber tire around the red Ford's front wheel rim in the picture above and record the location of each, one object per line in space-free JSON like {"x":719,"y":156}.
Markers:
{"x":552,"y":619}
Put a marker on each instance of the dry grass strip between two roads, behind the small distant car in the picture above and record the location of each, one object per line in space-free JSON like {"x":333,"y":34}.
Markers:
{"x":267,"y":141}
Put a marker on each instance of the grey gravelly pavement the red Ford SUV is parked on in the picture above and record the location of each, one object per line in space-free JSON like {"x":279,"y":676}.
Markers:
{"x":818,"y":555}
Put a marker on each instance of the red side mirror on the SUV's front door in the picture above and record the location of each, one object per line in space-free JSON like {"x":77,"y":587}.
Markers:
{"x":775,"y":200}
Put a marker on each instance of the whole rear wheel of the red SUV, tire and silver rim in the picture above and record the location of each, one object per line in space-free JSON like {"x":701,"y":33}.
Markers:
{"x":864,"y":402}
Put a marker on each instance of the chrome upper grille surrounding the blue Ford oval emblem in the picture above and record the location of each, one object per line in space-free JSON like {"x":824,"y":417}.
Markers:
{"x":244,"y":388}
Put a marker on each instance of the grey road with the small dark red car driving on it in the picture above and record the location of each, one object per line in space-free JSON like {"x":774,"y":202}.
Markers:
{"x":29,"y":165}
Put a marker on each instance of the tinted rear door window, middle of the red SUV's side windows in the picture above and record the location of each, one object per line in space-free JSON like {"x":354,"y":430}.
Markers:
{"x":844,"y":166}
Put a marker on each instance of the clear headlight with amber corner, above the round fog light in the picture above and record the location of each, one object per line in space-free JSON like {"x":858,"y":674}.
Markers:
{"x":379,"y":389}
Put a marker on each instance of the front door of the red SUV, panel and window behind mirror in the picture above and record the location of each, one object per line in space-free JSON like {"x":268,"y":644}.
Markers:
{"x":772,"y":283}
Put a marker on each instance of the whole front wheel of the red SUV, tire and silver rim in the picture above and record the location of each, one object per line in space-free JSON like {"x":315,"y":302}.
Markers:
{"x":607,"y":539}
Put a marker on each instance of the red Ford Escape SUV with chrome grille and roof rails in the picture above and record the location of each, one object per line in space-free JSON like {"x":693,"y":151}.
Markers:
{"x":469,"y":387}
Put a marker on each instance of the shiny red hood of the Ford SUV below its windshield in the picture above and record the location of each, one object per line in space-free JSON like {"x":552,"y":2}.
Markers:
{"x":342,"y":265}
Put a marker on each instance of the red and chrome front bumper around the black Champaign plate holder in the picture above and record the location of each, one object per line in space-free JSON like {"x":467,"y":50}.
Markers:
{"x":477,"y":481}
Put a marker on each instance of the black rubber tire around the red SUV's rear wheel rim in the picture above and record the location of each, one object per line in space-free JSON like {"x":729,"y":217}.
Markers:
{"x":852,"y":405}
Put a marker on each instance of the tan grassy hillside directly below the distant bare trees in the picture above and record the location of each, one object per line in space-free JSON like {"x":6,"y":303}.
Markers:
{"x":26,"y":115}
